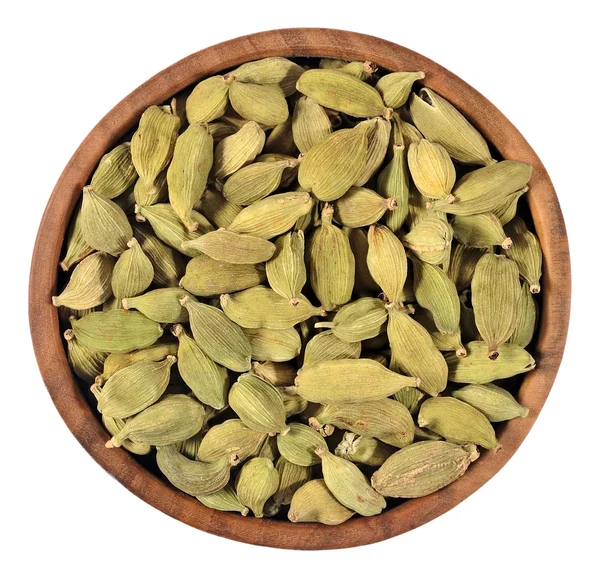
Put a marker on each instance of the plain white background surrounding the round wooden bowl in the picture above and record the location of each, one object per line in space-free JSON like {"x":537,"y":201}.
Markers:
{"x":64,"y":520}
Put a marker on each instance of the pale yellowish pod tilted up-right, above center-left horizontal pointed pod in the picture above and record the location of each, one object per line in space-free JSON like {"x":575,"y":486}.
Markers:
{"x":272,"y":216}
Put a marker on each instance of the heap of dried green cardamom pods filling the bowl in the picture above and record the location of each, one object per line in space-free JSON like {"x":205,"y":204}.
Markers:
{"x":295,"y":286}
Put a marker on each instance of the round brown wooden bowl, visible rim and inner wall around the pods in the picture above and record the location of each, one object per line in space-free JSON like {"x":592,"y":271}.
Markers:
{"x":78,"y":415}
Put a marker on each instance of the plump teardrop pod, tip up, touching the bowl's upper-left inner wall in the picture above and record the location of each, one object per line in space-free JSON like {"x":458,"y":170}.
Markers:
{"x":104,"y":225}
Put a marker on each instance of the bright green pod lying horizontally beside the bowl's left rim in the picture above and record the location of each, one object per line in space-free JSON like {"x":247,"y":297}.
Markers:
{"x":116,"y":331}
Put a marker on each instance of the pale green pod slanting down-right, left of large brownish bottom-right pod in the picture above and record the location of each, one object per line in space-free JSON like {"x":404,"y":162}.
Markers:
{"x":348,"y":484}
